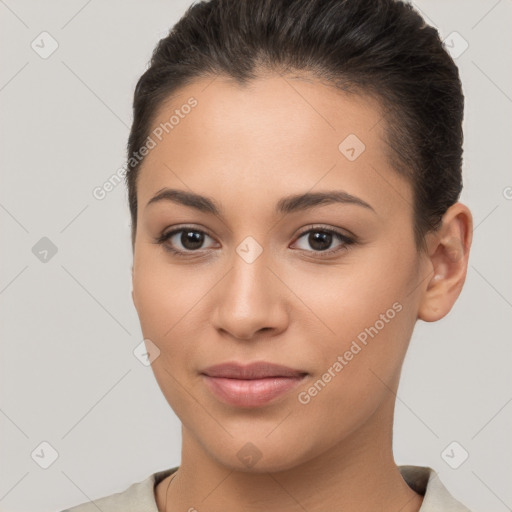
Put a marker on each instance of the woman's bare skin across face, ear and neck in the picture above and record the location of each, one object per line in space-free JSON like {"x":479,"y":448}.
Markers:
{"x":246,"y":148}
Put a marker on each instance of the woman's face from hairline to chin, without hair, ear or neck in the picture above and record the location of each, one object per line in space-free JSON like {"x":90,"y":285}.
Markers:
{"x":327,"y":288}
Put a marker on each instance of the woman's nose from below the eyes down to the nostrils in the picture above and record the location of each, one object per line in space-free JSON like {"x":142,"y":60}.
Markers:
{"x":251,"y":300}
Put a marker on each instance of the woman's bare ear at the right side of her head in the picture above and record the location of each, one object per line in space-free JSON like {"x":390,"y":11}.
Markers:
{"x":448,"y":254}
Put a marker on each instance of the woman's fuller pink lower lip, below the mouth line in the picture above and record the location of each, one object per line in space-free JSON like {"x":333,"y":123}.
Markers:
{"x":250,"y":393}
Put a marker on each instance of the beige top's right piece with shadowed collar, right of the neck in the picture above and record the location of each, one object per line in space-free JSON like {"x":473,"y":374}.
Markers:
{"x":436,"y":497}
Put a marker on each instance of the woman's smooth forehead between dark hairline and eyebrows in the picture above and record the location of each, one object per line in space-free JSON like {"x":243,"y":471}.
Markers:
{"x":275,"y":133}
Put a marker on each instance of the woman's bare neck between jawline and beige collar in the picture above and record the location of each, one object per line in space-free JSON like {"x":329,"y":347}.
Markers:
{"x":357,"y":474}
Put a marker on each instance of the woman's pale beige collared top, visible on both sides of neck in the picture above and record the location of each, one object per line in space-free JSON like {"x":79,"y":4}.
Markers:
{"x":140,"y":496}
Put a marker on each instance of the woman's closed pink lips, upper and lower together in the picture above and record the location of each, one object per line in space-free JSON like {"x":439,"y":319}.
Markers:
{"x":250,"y":385}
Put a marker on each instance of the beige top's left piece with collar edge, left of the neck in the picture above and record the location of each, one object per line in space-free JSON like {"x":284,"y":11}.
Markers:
{"x":138,"y":497}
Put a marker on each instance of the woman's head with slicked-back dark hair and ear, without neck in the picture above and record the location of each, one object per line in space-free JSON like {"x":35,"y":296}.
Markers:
{"x":269,"y":109}
